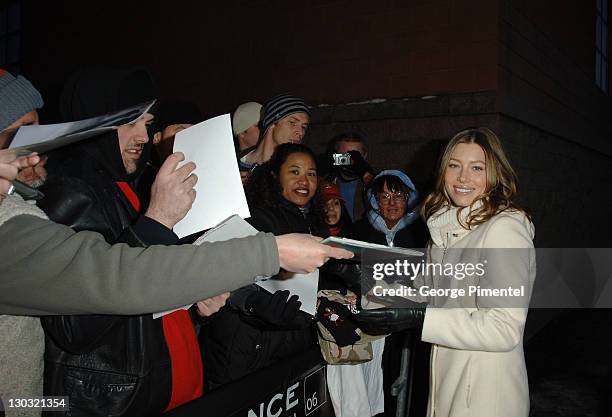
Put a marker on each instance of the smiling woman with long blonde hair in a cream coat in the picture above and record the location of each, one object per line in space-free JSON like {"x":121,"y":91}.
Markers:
{"x":477,"y":361}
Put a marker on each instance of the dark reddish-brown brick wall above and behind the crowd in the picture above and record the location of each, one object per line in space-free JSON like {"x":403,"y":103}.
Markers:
{"x":221,"y":54}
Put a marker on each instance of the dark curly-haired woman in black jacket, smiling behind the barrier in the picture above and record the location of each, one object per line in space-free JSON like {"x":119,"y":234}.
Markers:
{"x":259,"y":328}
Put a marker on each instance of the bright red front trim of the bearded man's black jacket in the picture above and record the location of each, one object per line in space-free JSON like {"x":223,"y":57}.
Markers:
{"x":182,"y":342}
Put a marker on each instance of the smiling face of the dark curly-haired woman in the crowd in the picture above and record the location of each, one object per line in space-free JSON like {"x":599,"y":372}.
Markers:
{"x":298,"y":178}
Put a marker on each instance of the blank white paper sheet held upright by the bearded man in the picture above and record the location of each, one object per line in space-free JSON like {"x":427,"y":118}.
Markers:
{"x":219,"y":190}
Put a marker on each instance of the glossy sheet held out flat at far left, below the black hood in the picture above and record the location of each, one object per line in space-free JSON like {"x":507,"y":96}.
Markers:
{"x":43,"y":138}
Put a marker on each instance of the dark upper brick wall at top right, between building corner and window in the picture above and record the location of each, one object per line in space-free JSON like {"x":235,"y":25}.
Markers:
{"x":546,"y":70}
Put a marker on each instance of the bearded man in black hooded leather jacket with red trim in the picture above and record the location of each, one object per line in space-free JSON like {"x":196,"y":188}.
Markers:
{"x":92,"y":186}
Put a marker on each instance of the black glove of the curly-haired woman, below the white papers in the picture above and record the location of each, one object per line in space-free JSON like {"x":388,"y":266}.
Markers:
{"x":277,"y":309}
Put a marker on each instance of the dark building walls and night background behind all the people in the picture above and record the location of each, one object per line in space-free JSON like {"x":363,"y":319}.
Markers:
{"x":406,"y":74}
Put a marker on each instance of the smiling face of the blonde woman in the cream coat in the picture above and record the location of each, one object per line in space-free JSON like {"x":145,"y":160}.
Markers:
{"x":465,"y":176}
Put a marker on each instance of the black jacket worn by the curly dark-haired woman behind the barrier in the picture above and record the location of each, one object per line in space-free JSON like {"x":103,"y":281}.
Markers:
{"x":236,"y":341}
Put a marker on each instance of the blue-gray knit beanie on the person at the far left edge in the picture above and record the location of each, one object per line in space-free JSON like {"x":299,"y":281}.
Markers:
{"x":17,"y":97}
